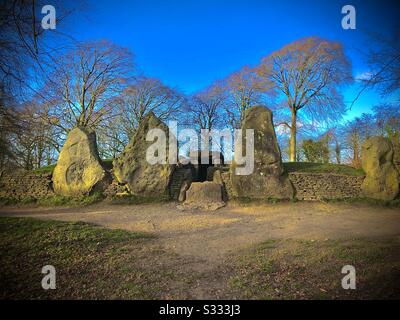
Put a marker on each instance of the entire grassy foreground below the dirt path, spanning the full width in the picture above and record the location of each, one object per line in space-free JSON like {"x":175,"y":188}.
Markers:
{"x":93,"y":262}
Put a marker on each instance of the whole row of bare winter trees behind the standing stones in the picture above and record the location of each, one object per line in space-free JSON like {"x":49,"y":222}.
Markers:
{"x":95,"y":85}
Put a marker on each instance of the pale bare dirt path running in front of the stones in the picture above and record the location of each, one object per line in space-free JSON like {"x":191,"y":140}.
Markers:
{"x":210,"y":236}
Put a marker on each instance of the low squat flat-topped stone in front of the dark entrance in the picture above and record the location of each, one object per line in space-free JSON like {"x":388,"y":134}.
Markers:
{"x":203,"y":195}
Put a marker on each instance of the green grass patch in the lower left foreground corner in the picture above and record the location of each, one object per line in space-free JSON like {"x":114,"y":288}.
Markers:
{"x":87,"y":259}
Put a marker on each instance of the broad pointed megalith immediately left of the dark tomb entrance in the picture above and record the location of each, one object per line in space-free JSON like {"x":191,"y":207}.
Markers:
{"x":133,"y":169}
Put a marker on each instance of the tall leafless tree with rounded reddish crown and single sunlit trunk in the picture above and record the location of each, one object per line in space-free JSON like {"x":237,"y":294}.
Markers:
{"x":308,"y":74}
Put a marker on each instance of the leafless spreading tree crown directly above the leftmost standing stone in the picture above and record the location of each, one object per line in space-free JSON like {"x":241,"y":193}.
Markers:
{"x":86,"y":82}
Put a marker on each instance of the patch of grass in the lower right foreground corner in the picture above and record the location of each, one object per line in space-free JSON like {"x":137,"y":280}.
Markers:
{"x":307,"y":269}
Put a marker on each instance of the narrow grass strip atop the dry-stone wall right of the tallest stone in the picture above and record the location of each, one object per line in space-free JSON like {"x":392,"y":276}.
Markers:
{"x":322,"y":168}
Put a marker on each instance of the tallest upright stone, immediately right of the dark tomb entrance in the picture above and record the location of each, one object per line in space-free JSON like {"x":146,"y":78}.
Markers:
{"x":267,"y":179}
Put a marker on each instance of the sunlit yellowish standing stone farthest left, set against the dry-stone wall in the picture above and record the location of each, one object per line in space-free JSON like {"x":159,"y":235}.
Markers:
{"x":78,"y":170}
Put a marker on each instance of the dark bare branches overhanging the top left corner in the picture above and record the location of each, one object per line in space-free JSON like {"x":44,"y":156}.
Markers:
{"x":22,"y":48}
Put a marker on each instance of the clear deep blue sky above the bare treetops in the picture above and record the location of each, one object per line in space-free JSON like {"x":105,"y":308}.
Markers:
{"x":189,"y":44}
